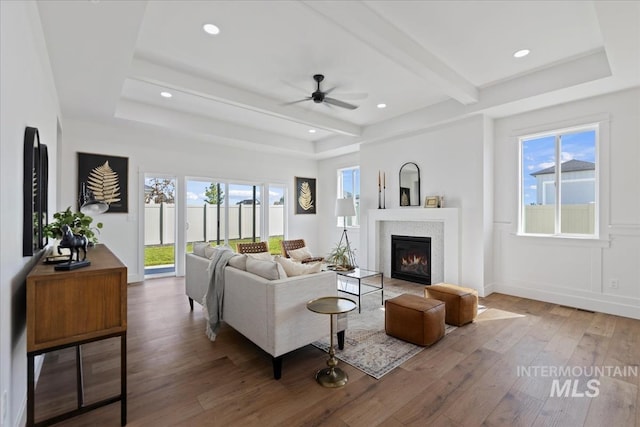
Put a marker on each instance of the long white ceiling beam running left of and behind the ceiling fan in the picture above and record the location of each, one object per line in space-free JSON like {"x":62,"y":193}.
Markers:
{"x":151,"y":72}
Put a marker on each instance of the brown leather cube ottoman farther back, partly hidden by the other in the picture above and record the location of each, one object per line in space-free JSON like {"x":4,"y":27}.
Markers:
{"x":461,"y":303}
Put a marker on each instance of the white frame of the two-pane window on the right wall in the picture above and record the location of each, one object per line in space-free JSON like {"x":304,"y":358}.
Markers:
{"x":557,"y":134}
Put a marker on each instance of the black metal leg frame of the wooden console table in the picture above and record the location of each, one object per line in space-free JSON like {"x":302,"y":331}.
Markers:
{"x":82,"y":408}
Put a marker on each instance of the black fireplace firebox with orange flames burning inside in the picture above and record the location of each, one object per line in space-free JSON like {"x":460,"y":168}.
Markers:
{"x":411,"y":258}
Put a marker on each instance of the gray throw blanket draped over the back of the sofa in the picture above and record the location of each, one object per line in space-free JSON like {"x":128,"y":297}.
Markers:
{"x":213,"y":298}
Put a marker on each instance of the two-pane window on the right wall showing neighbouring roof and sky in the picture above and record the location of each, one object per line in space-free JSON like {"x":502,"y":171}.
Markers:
{"x":567,"y":157}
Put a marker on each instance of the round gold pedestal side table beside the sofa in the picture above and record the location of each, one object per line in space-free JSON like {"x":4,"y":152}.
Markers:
{"x":331,"y":376}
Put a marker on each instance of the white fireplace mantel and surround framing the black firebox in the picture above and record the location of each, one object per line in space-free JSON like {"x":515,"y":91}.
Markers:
{"x":448,"y":216}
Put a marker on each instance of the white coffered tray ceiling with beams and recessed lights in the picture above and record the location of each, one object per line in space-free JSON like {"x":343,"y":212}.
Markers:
{"x":428,"y":61}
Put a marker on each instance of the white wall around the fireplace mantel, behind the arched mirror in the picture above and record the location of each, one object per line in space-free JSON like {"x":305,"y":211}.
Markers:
{"x":450,"y":159}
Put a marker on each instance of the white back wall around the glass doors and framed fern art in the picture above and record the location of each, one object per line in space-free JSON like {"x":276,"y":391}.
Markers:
{"x":151,"y":150}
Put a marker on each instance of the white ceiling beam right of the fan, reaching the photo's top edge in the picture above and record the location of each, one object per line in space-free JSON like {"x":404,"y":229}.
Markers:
{"x":365,"y":24}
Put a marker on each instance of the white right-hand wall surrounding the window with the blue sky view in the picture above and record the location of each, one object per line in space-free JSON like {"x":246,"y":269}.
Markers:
{"x":575,"y":272}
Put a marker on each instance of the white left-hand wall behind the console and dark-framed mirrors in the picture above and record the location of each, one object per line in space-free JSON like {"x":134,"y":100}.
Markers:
{"x":28,"y":99}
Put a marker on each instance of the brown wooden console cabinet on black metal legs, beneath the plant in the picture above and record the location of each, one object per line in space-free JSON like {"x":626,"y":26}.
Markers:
{"x":71,"y":308}
